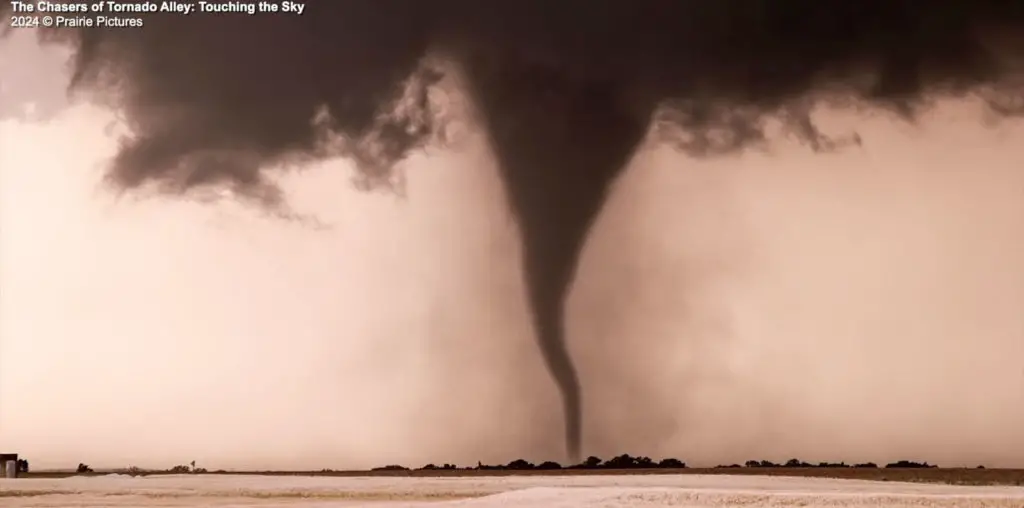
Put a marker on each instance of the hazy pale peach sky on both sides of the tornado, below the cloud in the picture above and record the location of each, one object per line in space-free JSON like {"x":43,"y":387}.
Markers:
{"x":858,"y":307}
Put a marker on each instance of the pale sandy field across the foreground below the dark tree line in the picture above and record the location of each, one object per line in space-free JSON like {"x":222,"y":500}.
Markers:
{"x":547,"y":492}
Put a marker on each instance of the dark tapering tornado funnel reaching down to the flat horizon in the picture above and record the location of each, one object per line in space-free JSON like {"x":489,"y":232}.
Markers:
{"x":561,"y":144}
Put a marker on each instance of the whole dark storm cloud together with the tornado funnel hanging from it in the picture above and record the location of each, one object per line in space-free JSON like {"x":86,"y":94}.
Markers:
{"x":567,"y":91}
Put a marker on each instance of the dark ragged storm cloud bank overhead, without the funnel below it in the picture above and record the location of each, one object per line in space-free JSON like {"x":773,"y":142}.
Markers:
{"x":225,"y":95}
